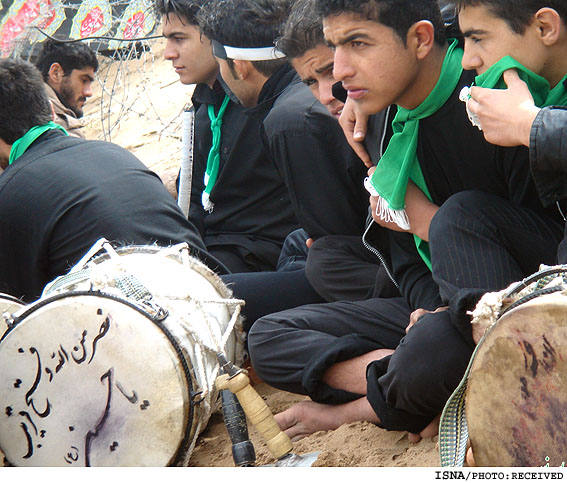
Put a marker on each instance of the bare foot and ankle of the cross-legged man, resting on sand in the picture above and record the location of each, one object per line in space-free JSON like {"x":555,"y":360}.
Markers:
{"x":308,"y":417}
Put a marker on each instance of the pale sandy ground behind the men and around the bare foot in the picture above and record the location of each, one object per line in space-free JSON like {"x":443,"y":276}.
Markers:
{"x":140,"y":108}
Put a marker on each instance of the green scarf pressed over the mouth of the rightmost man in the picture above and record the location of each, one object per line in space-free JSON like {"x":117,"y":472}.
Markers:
{"x":541,"y":91}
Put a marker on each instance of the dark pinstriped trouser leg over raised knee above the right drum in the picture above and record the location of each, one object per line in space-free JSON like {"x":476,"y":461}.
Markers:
{"x":481,"y":241}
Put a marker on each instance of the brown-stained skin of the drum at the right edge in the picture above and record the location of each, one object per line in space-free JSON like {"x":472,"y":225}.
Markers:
{"x":516,"y":399}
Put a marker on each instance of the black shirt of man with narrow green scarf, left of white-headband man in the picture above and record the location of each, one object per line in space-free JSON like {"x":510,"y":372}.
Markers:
{"x":252,"y":206}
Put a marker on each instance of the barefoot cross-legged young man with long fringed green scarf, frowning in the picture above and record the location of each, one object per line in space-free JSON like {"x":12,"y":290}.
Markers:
{"x":355,"y":355}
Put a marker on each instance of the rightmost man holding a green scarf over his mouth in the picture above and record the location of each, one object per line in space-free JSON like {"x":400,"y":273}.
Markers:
{"x":522,"y":112}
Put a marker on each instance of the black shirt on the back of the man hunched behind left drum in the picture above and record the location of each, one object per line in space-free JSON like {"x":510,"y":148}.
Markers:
{"x":63,"y":194}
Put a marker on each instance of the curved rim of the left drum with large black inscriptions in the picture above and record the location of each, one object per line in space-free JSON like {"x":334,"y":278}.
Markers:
{"x":186,"y":442}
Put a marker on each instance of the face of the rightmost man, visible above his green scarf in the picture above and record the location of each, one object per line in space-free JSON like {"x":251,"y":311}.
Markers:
{"x":489,"y":38}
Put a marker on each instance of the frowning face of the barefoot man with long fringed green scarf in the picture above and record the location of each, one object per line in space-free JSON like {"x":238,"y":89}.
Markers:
{"x":372,"y":62}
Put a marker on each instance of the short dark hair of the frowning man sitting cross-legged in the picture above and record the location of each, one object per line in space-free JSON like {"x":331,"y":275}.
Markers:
{"x":399,"y":15}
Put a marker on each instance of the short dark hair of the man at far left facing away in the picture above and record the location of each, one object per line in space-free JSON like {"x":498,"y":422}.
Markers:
{"x":23,"y":100}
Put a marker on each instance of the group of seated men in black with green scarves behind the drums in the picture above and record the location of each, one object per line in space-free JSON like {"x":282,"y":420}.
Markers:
{"x":368,"y":318}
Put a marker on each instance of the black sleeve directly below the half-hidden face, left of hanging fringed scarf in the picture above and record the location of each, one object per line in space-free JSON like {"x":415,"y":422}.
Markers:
{"x":314,"y":160}
